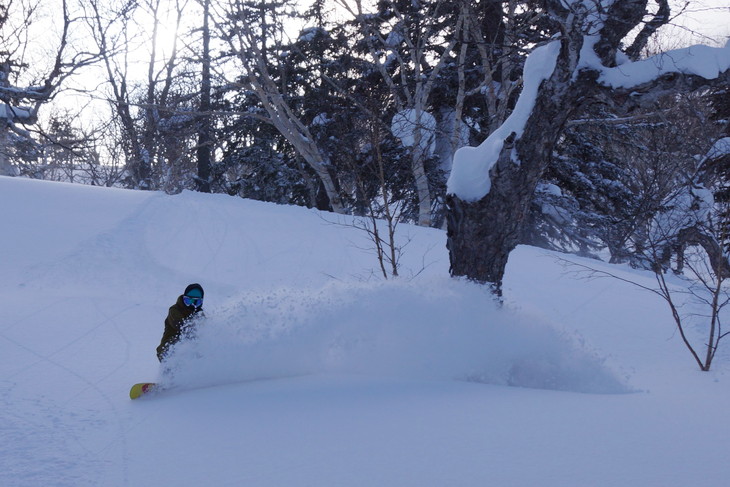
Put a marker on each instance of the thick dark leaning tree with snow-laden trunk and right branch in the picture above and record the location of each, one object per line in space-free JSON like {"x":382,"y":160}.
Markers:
{"x":491,"y":186}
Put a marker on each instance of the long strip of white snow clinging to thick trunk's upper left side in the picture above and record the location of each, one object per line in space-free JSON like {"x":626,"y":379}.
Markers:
{"x":469,"y":178}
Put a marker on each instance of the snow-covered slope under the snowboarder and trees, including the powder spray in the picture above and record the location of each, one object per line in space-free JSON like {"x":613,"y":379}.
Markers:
{"x":311,"y":371}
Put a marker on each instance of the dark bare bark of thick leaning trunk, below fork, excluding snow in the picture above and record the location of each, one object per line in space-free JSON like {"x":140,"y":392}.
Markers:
{"x":481,"y":234}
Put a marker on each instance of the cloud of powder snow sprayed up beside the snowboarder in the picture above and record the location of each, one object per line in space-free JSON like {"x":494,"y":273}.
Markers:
{"x":434,"y":330}
